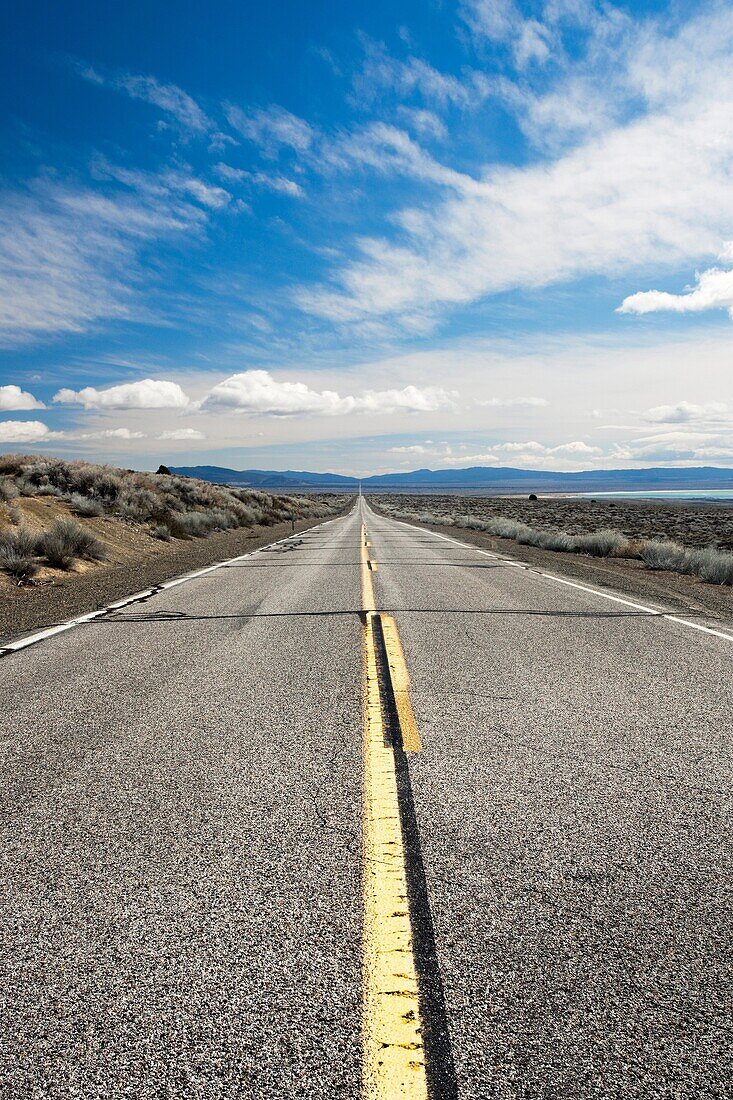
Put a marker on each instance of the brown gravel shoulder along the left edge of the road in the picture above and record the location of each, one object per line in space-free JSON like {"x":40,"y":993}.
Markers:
{"x":25,"y":610}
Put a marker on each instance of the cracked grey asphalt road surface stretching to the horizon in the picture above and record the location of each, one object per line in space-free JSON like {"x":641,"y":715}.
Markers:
{"x":183,"y":859}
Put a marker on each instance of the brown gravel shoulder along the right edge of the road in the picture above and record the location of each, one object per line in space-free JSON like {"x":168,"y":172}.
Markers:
{"x":671,"y":591}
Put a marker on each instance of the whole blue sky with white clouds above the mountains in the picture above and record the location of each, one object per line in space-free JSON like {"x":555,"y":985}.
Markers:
{"x":368,"y":237}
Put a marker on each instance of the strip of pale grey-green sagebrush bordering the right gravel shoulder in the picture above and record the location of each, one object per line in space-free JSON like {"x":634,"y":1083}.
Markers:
{"x":709,"y":564}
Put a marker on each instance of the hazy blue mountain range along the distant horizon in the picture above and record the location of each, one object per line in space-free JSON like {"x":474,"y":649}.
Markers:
{"x":485,"y":479}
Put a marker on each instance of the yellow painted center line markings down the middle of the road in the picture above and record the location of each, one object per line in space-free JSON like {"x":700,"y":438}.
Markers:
{"x":393,"y":1050}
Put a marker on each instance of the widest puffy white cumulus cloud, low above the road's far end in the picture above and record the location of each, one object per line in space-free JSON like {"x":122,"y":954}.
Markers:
{"x":259,"y":393}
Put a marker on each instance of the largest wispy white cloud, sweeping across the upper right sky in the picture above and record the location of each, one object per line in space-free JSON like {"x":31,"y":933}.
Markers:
{"x":653,"y":191}
